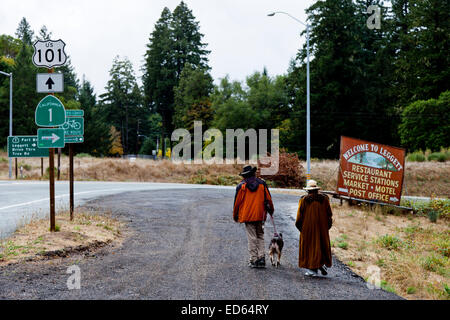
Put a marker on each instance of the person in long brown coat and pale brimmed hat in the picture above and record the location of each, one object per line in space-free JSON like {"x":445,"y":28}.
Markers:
{"x":313,"y":221}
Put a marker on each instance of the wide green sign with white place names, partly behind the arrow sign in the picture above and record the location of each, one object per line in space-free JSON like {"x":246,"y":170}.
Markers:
{"x":25,"y":147}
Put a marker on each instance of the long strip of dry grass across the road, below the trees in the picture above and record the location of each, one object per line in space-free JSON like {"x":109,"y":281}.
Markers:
{"x":421,"y":178}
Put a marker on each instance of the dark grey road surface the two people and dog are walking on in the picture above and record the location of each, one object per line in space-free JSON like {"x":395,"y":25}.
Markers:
{"x":183,"y":244}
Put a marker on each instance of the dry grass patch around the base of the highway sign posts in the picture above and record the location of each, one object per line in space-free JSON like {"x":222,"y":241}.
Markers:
{"x":34,"y":241}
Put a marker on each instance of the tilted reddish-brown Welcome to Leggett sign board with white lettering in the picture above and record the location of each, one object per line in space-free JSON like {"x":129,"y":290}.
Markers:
{"x":370,"y":171}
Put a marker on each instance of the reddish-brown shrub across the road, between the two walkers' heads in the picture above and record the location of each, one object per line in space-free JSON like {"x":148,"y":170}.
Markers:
{"x":290,"y":172}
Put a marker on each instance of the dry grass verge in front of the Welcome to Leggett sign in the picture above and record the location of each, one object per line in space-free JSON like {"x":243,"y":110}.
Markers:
{"x":411,"y":252}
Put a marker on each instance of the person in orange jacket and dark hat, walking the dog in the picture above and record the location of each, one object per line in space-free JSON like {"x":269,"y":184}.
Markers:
{"x":251,"y":204}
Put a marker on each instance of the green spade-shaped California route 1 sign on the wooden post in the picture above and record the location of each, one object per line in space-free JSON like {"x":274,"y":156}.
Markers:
{"x":50,"y":112}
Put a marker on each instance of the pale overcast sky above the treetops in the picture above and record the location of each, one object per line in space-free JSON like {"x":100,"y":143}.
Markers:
{"x":240,"y":35}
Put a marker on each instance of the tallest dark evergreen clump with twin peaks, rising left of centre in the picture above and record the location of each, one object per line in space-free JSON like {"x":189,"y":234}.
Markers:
{"x":175,"y":41}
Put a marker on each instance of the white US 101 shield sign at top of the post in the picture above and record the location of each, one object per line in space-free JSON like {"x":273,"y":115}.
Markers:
{"x":49,"y":53}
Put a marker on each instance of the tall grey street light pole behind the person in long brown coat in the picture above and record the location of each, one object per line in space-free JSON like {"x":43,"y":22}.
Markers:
{"x":308,"y":100}
